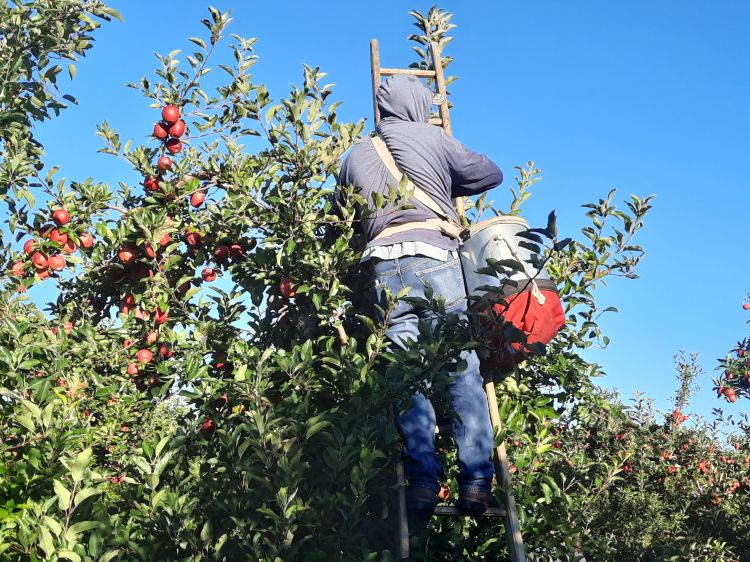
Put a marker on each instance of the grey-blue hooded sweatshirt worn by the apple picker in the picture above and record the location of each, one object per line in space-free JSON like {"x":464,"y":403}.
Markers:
{"x":436,"y":162}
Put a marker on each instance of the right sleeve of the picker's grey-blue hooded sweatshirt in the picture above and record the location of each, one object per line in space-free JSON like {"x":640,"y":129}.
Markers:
{"x":471,"y":173}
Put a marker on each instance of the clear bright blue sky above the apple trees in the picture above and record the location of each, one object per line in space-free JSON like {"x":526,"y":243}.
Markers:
{"x":648,"y":97}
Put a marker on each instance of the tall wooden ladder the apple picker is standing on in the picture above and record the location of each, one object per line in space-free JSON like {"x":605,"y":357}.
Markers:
{"x":502,"y":468}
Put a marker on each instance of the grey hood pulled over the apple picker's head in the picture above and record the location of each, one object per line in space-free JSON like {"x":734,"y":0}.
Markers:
{"x":404,"y":97}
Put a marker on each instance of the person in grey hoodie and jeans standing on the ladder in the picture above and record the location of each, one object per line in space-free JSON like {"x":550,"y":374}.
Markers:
{"x":401,"y":253}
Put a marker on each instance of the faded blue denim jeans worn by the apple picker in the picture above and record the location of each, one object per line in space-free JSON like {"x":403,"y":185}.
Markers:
{"x":471,"y":423}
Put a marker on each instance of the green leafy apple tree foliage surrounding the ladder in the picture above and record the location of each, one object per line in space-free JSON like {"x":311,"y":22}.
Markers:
{"x":206,"y":387}
